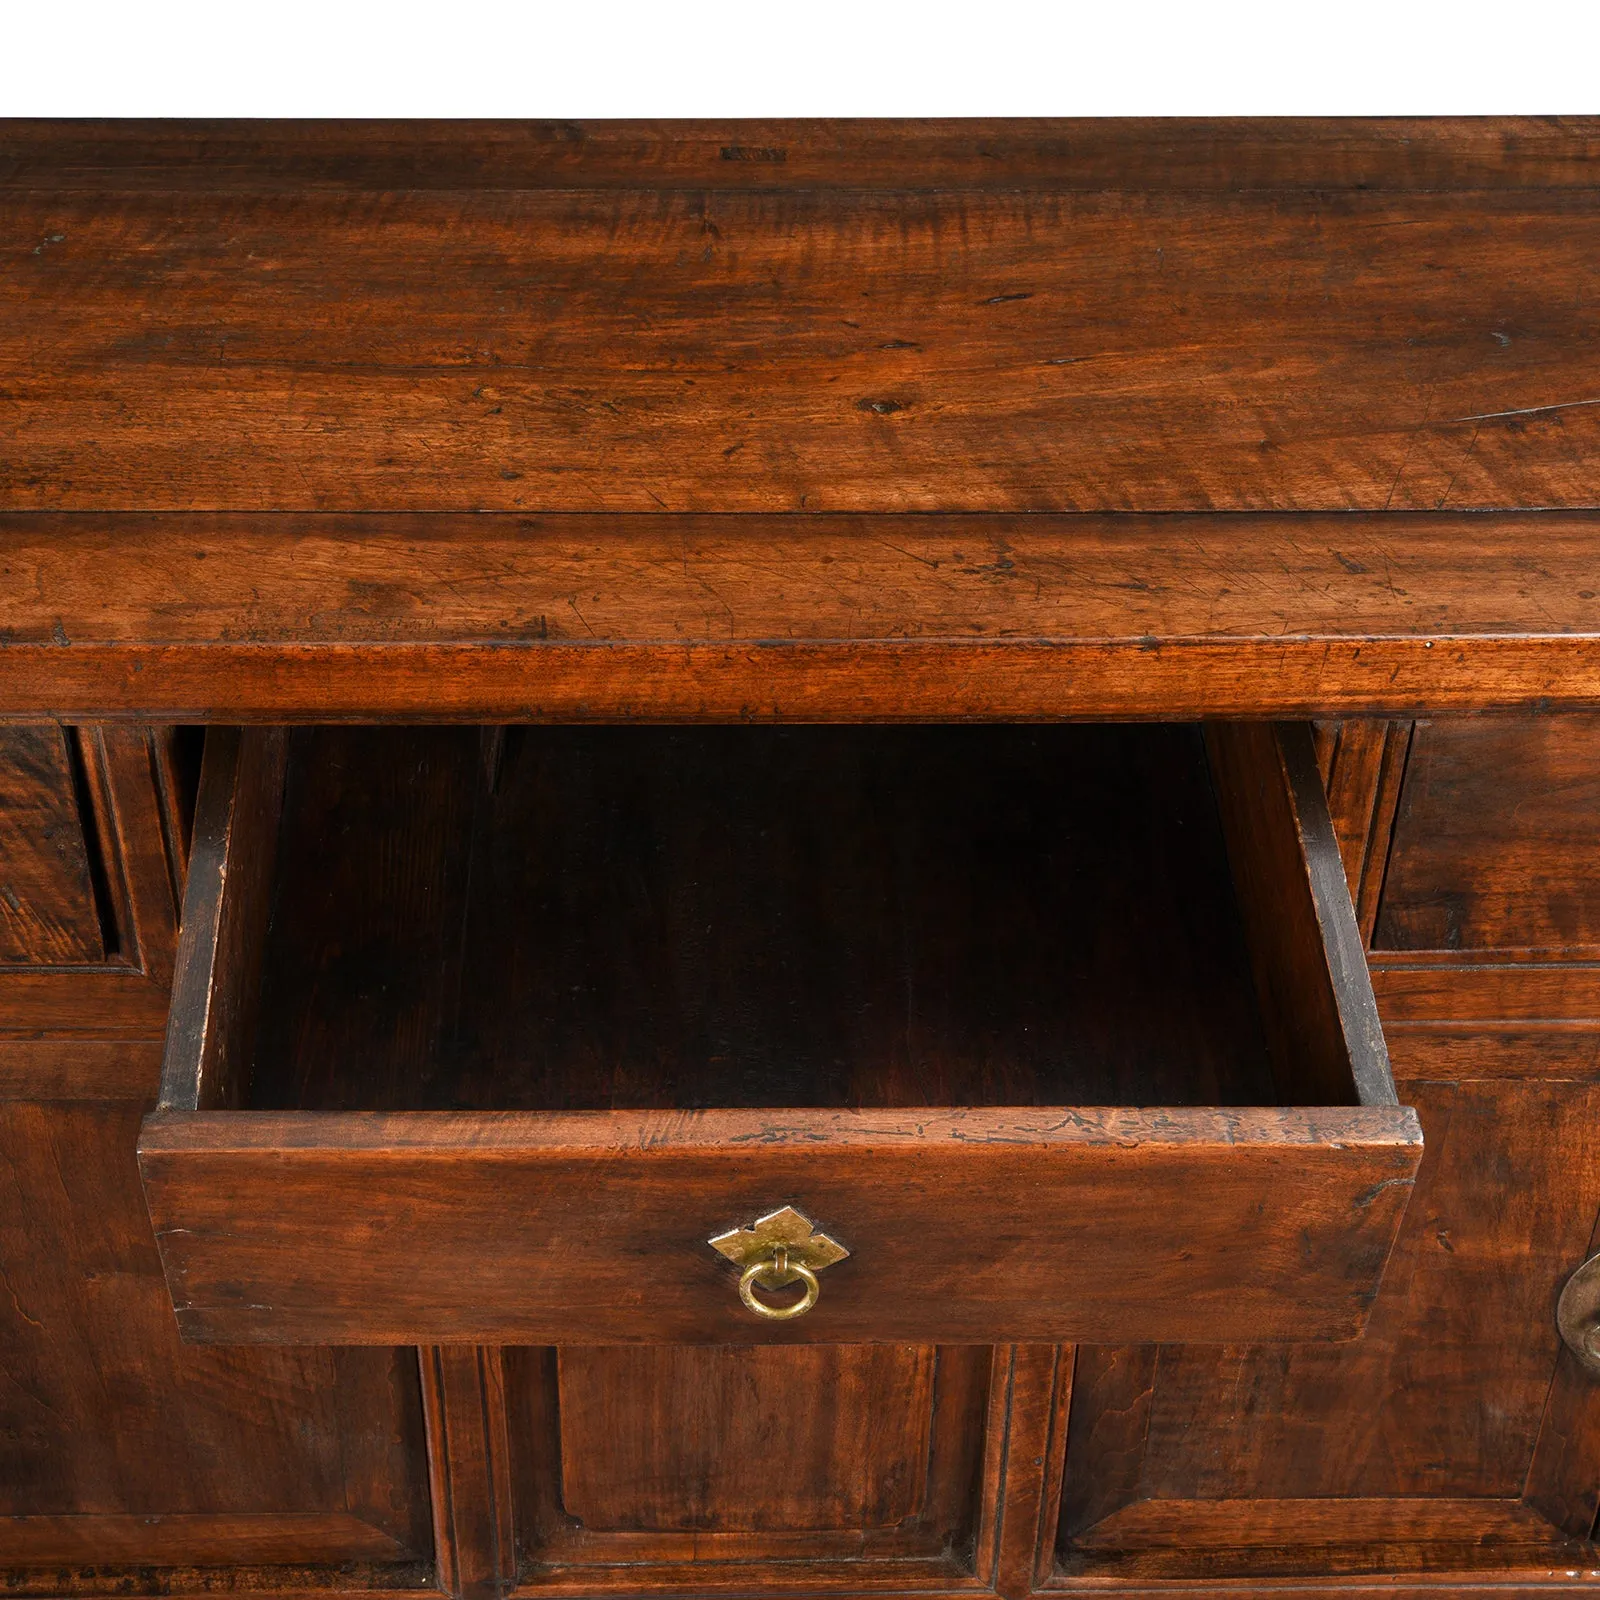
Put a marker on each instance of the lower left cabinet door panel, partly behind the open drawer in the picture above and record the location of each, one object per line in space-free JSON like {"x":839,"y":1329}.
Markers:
{"x":124,"y":1442}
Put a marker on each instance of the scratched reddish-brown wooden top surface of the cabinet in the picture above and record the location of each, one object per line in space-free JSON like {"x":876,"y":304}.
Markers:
{"x":647,"y":326}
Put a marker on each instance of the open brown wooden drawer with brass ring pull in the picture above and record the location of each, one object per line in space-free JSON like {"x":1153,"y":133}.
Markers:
{"x":1062,"y":1033}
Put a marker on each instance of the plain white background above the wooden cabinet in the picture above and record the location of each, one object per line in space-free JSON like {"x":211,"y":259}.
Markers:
{"x":745,"y":58}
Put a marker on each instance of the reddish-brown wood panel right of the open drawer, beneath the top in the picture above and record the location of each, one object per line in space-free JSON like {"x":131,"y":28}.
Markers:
{"x":1497,"y":841}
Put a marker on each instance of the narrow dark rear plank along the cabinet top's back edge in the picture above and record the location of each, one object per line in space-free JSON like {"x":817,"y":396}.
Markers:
{"x":1210,"y":154}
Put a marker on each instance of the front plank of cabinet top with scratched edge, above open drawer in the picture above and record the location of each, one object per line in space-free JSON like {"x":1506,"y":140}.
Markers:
{"x":510,"y":618}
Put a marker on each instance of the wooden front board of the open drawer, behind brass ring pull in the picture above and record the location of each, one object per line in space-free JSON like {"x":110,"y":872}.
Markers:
{"x":594,"y":1228}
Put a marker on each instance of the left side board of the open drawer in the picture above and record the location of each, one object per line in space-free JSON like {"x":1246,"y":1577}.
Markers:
{"x":226,"y":906}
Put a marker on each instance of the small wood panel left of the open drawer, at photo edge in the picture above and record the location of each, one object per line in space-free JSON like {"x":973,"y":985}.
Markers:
{"x":49,"y":916}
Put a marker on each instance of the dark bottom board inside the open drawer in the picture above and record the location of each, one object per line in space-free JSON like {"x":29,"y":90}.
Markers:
{"x":758,"y":918}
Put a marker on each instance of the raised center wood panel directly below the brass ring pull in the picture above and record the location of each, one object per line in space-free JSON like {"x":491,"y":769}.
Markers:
{"x":745,"y":1441}
